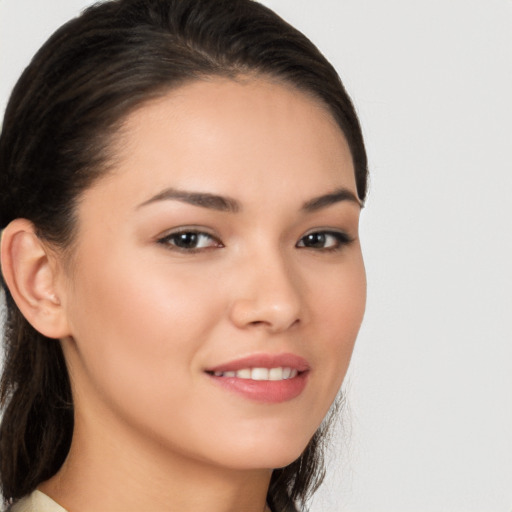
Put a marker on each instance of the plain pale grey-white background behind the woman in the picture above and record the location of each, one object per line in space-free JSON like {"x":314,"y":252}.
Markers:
{"x":429,"y":422}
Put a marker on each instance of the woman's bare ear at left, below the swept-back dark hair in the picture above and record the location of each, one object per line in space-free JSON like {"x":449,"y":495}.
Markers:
{"x":30,"y":271}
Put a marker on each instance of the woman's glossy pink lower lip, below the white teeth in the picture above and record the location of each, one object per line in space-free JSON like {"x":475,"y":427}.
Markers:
{"x":265,"y":391}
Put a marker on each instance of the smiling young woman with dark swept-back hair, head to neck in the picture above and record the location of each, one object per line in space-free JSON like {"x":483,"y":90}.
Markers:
{"x":181,"y":183}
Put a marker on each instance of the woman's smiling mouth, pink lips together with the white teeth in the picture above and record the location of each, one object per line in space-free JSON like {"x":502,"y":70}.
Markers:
{"x":263,"y":378}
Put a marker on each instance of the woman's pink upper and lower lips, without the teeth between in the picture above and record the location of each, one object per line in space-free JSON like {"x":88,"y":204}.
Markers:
{"x":263,"y":391}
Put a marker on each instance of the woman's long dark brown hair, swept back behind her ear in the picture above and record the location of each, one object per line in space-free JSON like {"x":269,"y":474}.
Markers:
{"x":57,"y":136}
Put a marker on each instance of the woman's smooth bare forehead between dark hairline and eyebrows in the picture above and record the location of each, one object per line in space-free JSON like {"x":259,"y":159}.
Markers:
{"x":243,"y":138}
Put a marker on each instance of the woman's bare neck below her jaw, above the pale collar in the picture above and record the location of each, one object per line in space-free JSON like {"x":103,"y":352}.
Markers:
{"x":111,"y":469}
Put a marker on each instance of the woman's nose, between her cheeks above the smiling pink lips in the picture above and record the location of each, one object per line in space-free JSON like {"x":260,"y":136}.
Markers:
{"x":267,"y":296}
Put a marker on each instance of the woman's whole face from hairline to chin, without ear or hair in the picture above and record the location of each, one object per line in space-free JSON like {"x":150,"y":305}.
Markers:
{"x":225,"y":239}
